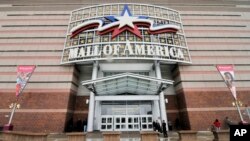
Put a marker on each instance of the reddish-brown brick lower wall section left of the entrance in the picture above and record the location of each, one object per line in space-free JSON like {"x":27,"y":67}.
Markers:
{"x":39,"y":112}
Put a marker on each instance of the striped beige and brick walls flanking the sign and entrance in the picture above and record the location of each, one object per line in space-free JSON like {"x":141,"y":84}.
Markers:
{"x":34,"y":34}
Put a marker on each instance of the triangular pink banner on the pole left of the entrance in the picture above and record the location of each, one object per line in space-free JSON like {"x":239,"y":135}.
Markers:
{"x":23,"y":75}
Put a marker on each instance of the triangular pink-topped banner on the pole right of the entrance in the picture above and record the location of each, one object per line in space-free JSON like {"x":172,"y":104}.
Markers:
{"x":227,"y":72}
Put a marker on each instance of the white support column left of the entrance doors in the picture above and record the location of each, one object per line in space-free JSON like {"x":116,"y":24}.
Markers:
{"x":92,"y":100}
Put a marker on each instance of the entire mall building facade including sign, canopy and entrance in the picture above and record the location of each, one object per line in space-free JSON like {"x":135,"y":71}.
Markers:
{"x":122,"y":65}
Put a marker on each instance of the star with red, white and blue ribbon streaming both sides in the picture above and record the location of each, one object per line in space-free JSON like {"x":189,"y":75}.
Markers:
{"x":125,"y":22}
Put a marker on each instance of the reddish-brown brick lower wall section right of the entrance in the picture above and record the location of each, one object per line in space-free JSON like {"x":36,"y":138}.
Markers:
{"x":204,"y":107}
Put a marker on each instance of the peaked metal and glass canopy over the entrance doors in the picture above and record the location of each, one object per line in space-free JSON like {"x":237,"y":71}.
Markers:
{"x":127,"y":83}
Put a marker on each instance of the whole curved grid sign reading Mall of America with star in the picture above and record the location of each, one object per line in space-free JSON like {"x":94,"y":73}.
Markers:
{"x":125,"y":31}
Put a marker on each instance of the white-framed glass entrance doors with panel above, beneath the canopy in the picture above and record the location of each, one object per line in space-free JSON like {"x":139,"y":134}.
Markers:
{"x":126,"y":116}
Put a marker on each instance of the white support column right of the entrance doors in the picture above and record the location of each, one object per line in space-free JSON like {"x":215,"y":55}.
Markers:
{"x":161,"y":95}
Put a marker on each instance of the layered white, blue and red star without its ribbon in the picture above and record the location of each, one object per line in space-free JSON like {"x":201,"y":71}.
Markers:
{"x":126,"y":23}
